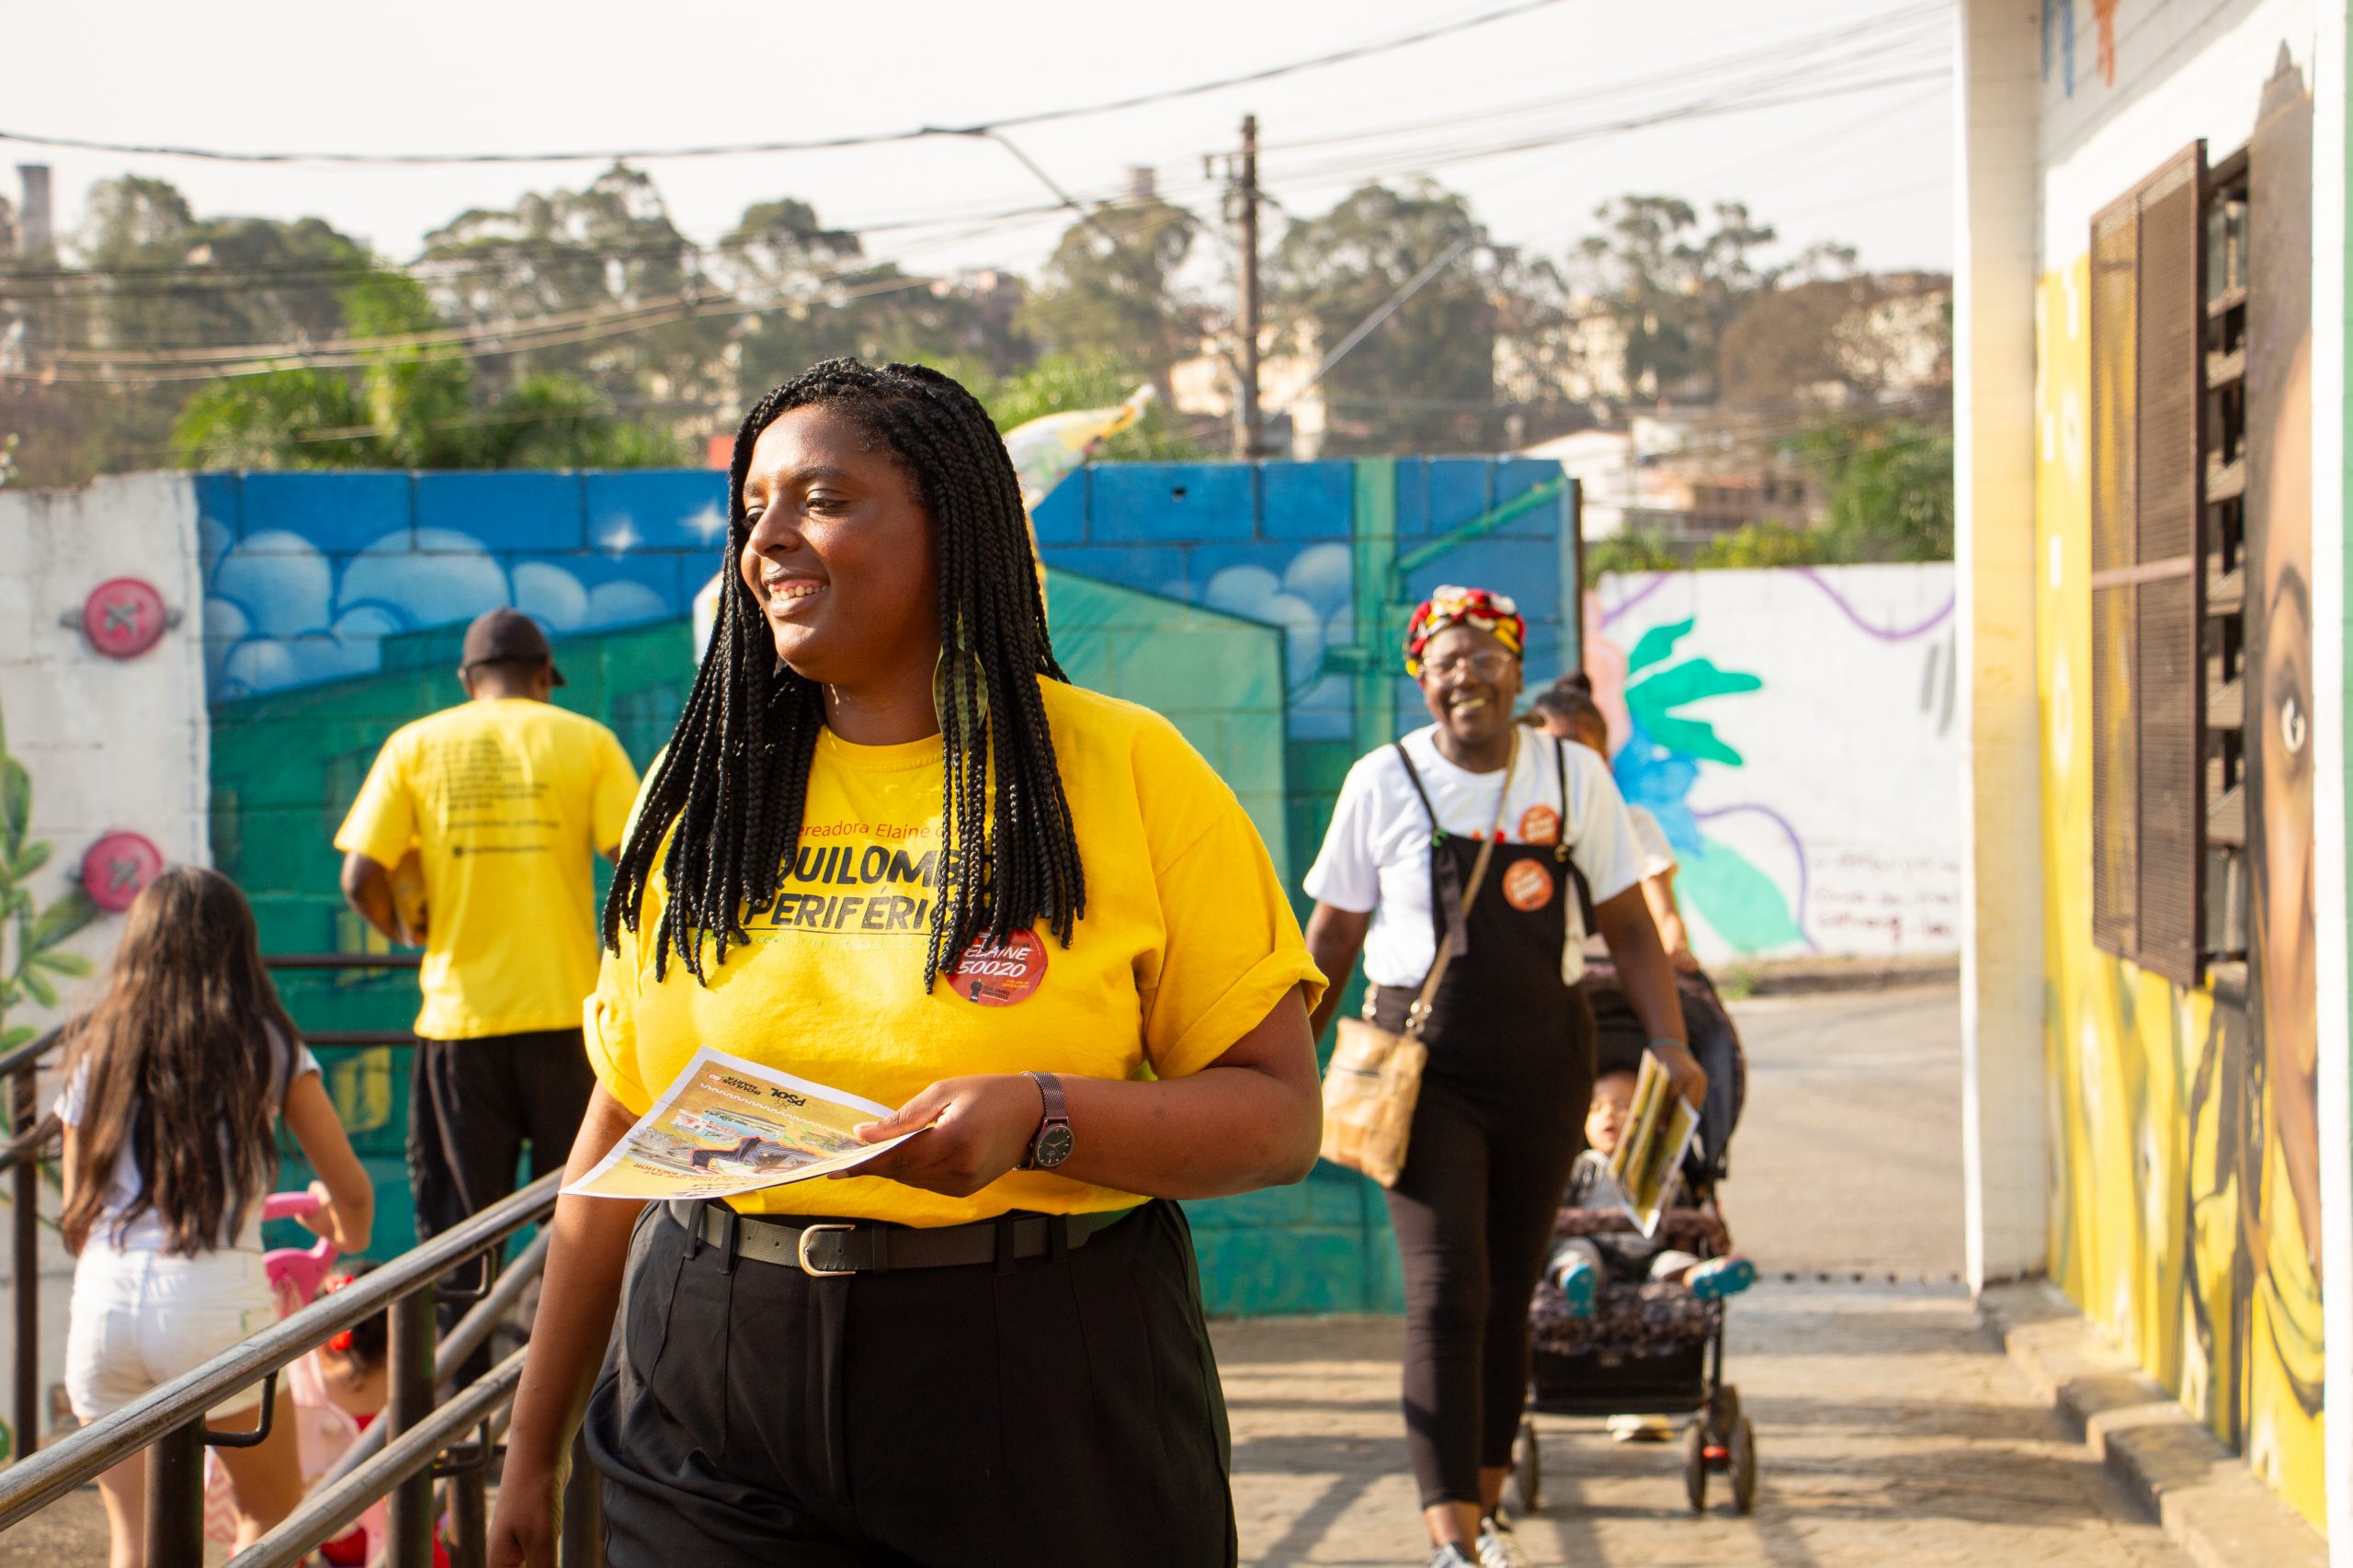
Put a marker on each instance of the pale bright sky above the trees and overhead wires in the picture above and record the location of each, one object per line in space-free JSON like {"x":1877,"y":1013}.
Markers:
{"x":1832,"y":119}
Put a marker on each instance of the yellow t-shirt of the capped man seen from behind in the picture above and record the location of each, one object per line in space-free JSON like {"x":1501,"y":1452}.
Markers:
{"x":507,"y":806}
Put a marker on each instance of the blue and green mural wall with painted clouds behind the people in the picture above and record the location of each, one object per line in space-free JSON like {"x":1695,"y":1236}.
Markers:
{"x":1255,"y":606}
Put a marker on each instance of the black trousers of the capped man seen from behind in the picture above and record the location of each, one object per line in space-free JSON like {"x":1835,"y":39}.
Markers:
{"x":476,"y":1103}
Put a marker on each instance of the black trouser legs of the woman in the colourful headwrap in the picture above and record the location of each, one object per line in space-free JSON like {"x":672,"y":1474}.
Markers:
{"x":1486,"y":1167}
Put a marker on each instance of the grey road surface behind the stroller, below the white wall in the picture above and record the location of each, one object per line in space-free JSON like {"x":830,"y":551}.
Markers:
{"x":1851,"y":1150}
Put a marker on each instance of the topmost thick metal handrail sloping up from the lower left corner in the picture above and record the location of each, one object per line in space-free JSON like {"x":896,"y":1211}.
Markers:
{"x":36,"y":1482}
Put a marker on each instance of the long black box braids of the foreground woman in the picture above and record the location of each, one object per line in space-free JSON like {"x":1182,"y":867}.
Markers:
{"x":738,"y":769}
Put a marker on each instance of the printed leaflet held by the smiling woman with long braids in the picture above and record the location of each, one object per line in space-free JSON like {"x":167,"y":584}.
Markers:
{"x":728,"y":1127}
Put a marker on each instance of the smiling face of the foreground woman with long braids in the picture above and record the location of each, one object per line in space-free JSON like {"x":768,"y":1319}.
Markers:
{"x":841,"y":554}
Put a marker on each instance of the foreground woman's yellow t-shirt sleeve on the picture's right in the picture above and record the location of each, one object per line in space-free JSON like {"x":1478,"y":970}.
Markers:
{"x":1232,"y":943}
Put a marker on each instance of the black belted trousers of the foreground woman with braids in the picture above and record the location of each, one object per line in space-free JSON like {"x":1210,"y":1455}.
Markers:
{"x":926,"y":1418}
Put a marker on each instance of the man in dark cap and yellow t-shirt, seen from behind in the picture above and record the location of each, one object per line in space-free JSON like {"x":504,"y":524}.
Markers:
{"x":502,"y":802}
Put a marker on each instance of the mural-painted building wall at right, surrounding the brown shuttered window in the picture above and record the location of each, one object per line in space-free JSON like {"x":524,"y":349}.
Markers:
{"x":2185,"y":1131}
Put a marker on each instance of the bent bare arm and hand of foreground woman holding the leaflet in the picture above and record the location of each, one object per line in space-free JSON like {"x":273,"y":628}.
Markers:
{"x":1251,"y":1119}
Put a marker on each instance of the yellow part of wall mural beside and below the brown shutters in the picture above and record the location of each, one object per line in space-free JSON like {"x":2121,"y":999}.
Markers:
{"x":2173,"y":1223}
